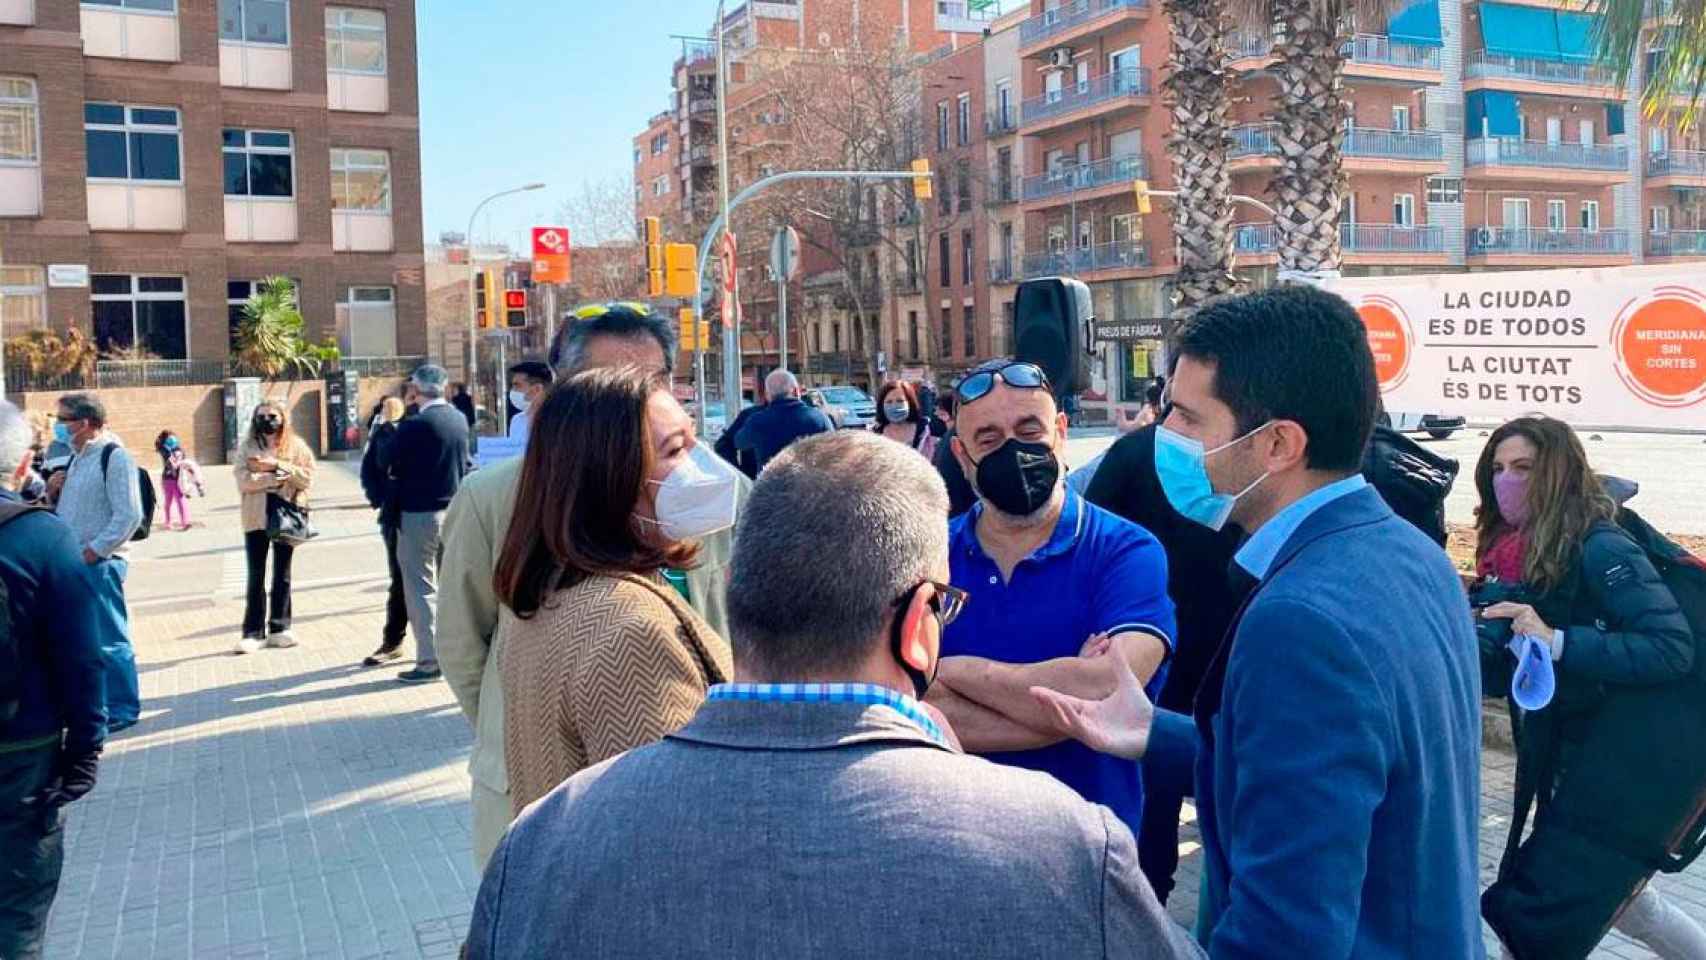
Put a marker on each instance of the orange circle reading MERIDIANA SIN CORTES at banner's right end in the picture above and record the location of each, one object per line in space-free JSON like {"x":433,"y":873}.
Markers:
{"x":1661,"y":344}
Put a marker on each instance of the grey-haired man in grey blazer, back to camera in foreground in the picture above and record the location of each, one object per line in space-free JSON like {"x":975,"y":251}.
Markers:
{"x":816,"y":807}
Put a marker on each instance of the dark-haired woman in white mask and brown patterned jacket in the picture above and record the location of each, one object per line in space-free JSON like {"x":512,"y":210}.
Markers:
{"x":600,"y":651}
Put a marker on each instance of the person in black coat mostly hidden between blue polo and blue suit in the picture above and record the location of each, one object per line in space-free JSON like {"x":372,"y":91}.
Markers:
{"x":1205,"y":594}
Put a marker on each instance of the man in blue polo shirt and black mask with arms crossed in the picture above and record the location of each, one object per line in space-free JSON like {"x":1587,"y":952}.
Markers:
{"x":1048,"y":574}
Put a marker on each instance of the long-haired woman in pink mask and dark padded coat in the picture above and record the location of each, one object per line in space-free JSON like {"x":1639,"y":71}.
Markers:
{"x":1601,"y":755}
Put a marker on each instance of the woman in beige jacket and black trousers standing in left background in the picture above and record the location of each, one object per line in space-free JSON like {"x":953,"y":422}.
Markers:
{"x":274,"y":461}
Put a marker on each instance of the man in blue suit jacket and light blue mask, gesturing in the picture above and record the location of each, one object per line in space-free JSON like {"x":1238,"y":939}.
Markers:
{"x":1338,"y":729}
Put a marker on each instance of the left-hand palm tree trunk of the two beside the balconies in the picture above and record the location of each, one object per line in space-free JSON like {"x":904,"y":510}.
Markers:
{"x":1198,"y":146}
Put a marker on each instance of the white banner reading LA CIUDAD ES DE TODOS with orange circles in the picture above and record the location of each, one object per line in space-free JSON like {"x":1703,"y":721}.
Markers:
{"x":1598,"y":347}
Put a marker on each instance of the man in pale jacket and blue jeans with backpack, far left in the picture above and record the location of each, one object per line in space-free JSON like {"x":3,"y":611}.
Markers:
{"x":102,"y":502}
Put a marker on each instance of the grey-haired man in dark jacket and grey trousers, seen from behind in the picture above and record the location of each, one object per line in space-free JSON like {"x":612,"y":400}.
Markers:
{"x":427,"y":463}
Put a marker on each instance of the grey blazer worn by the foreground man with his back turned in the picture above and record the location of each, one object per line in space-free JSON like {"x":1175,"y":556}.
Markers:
{"x":792,"y":830}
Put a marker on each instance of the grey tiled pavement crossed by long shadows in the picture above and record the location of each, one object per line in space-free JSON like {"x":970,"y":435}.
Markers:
{"x":293,"y":804}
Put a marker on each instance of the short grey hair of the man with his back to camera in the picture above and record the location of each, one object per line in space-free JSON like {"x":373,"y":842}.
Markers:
{"x":798,"y":613}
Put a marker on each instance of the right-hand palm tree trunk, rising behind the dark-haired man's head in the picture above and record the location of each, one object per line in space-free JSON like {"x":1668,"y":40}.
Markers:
{"x":1309,"y":188}
